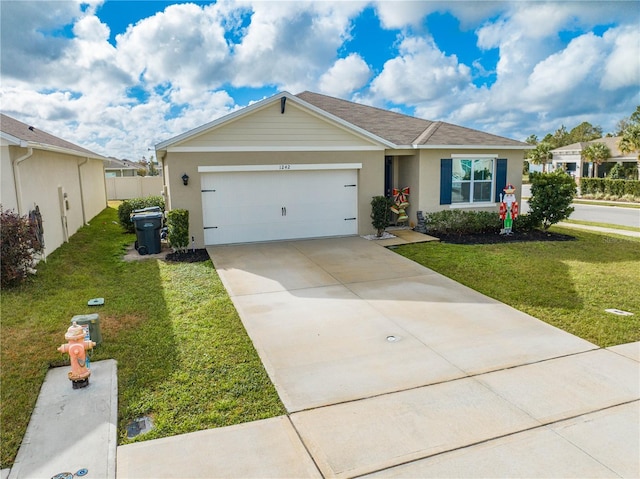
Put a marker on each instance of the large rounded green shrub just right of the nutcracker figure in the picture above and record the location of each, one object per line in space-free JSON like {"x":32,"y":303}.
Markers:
{"x":551,"y":197}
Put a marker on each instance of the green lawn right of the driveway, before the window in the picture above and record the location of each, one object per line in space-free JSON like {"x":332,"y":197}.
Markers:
{"x":567,"y":284}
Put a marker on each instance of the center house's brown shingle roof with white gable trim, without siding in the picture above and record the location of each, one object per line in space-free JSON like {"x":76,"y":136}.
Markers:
{"x":394,"y":130}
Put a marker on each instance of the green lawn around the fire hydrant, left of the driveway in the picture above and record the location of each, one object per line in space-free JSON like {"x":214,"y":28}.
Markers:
{"x":183,"y":355}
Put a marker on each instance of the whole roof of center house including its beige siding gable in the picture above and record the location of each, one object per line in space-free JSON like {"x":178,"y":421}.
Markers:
{"x":373,"y":125}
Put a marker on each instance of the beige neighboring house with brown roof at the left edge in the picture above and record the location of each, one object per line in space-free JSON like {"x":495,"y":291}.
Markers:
{"x":65,"y":182}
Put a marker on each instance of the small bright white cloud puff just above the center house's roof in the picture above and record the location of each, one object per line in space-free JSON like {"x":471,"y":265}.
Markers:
{"x":345,"y":76}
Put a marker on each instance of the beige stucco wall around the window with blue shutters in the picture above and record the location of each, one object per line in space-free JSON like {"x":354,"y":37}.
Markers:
{"x":429,"y":195}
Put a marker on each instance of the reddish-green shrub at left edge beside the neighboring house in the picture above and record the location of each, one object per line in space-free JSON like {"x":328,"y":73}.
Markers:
{"x":19,"y":243}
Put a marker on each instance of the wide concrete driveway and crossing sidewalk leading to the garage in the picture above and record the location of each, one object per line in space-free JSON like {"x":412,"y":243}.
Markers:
{"x":390,"y":369}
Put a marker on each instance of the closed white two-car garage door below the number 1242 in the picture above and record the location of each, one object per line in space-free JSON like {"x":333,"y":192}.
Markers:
{"x":250,"y":206}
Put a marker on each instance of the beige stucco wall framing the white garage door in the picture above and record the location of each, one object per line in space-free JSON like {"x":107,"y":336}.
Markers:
{"x":370,"y":178}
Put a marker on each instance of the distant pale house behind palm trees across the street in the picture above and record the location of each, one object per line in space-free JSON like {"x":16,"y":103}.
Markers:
{"x":569,"y":158}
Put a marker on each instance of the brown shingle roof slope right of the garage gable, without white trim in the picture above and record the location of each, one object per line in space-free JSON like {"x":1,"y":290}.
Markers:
{"x":404,"y":129}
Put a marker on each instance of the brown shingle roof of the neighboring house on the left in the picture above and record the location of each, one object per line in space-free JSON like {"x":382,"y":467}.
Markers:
{"x":21,"y":134}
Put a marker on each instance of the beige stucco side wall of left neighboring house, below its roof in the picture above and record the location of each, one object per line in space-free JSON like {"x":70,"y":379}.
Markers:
{"x":41,"y":176}
